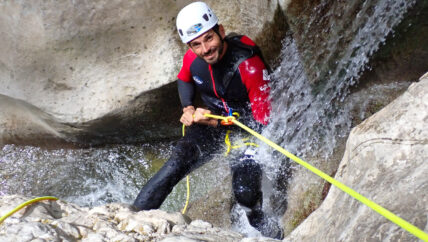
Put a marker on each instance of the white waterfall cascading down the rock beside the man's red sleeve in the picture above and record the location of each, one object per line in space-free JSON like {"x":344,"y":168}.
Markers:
{"x":310,"y":118}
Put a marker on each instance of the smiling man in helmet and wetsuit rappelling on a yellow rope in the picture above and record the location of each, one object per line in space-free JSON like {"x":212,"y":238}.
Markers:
{"x":231,"y":77}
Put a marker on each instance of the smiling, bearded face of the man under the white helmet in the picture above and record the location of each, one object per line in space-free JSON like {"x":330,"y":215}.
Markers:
{"x":208,"y":46}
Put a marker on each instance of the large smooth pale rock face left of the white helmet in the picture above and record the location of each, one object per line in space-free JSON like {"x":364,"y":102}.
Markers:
{"x":80,"y":60}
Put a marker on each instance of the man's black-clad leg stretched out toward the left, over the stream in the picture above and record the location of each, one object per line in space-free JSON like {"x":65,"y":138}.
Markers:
{"x":185,"y":157}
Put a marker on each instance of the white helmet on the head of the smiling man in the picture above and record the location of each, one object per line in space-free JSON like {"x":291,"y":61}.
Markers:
{"x":194,"y":20}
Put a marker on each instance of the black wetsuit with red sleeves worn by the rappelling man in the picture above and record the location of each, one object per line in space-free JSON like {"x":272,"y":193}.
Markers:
{"x":239,"y":81}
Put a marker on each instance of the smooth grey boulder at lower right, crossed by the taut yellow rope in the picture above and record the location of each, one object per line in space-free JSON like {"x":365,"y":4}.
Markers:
{"x":386,"y":161}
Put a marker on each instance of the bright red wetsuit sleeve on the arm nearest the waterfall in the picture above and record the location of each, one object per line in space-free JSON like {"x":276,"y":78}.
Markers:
{"x":255,"y":77}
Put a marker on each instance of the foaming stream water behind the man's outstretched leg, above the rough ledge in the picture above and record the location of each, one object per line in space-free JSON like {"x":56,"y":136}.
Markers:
{"x":96,"y":176}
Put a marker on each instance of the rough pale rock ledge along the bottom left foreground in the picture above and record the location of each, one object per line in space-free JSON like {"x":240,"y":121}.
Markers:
{"x":61,"y":221}
